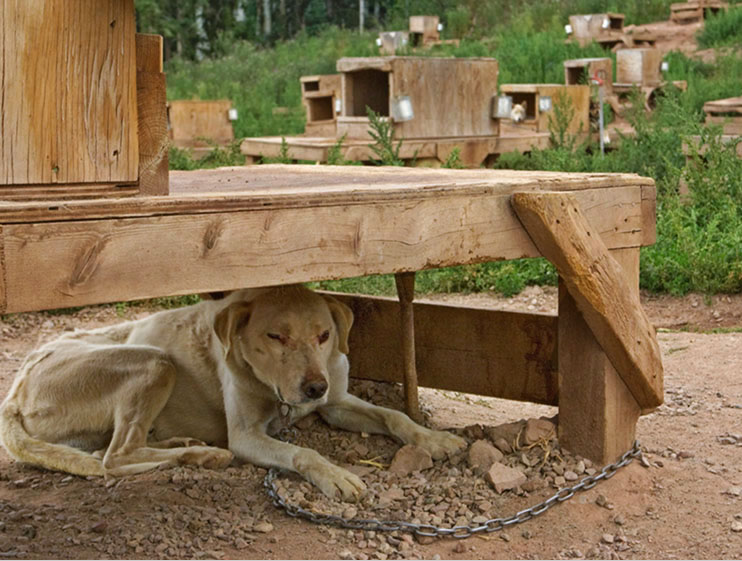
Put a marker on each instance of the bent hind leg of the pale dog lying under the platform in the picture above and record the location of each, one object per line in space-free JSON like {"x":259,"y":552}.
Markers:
{"x":138,"y":404}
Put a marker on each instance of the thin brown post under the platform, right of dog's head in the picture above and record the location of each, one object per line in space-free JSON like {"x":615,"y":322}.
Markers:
{"x":406,"y":292}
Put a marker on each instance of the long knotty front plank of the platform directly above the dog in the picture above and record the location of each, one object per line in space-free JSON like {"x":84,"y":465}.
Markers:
{"x":101,"y":260}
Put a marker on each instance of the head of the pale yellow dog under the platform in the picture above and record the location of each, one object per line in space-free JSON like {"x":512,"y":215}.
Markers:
{"x":287,"y":336}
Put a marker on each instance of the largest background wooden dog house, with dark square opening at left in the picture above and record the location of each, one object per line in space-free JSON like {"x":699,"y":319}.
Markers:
{"x":415,"y":94}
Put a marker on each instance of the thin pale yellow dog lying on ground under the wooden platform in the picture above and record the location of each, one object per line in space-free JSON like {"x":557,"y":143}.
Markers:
{"x":128,"y":398}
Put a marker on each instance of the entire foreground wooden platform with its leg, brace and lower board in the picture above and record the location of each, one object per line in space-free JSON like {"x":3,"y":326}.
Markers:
{"x":240,"y":227}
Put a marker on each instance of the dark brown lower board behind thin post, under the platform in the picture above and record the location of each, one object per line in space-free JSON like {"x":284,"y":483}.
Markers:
{"x":474,"y":350}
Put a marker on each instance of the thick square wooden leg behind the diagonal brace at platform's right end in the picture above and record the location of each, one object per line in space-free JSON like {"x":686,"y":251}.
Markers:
{"x":597,"y":413}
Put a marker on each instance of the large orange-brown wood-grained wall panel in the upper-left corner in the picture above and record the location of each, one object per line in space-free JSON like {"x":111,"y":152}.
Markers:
{"x":68,"y":92}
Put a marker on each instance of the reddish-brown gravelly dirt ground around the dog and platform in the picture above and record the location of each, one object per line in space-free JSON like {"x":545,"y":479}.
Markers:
{"x":685,"y":502}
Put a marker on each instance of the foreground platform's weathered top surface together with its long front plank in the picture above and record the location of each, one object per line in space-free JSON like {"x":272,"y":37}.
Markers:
{"x":295,"y":225}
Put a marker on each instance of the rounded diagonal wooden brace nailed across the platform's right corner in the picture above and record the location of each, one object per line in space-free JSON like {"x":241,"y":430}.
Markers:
{"x":597,"y":283}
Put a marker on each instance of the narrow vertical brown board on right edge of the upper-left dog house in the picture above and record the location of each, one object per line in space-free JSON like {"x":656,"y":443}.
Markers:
{"x":152,"y":116}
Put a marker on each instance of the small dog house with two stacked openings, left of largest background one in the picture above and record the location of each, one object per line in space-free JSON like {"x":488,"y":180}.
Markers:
{"x":320,"y":96}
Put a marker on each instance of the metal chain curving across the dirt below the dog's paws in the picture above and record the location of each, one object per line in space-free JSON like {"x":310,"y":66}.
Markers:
{"x":491,"y":525}
